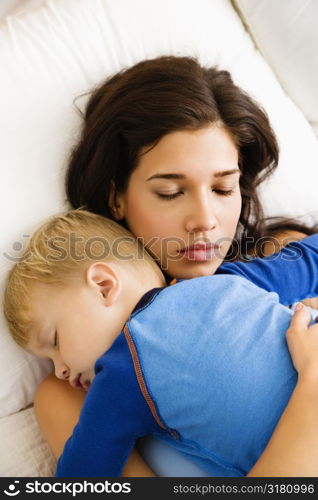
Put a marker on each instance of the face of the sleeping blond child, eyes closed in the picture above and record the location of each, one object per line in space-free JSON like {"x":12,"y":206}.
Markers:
{"x":69,"y":326}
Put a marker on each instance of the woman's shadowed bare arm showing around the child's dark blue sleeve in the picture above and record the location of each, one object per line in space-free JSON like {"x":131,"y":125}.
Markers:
{"x":57,"y":408}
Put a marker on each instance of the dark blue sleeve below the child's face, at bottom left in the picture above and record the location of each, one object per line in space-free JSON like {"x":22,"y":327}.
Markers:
{"x":114,"y":415}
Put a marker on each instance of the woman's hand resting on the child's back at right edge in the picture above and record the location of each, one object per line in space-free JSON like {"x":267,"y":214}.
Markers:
{"x":302,"y":342}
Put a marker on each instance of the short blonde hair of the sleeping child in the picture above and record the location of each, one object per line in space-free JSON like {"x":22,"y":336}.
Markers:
{"x":59,"y":251}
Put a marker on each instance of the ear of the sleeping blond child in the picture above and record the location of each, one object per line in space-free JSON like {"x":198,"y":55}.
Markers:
{"x":103,"y":278}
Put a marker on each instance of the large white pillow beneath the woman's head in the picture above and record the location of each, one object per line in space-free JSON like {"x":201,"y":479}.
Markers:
{"x":63,"y":48}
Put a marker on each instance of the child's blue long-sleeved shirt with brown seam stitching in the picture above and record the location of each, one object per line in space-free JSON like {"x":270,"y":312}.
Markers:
{"x":203,"y":365}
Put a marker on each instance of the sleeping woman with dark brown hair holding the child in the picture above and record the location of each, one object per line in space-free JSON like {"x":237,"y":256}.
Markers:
{"x":174,"y":152}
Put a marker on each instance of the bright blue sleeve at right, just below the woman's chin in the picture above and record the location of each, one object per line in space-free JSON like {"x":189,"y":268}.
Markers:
{"x":292,"y":273}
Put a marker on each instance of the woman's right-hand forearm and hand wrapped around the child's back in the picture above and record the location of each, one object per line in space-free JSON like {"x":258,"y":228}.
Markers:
{"x":293,"y":448}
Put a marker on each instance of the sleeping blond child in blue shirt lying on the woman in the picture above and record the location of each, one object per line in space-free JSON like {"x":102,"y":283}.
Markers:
{"x":202,"y":364}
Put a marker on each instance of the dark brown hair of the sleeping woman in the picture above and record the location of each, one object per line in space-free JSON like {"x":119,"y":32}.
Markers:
{"x":137,"y":106}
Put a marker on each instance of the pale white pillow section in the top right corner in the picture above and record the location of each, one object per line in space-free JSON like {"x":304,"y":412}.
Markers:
{"x":285,"y":32}
